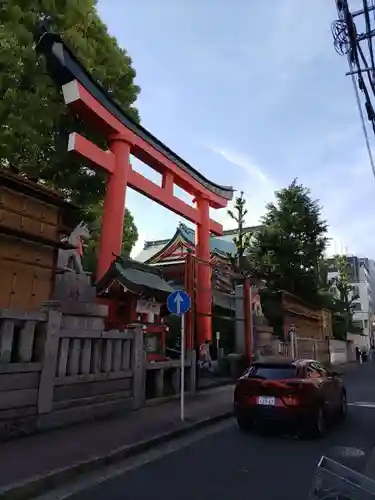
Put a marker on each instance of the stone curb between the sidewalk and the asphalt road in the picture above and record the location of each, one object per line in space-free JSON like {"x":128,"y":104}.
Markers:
{"x":37,"y":485}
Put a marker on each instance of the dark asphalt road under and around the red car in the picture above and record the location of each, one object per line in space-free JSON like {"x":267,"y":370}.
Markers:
{"x":229,"y":465}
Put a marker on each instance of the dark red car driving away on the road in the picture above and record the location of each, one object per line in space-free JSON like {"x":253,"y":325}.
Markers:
{"x":301,"y":392}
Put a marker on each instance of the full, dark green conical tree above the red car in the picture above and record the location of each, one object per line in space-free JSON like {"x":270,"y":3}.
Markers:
{"x":287,"y":250}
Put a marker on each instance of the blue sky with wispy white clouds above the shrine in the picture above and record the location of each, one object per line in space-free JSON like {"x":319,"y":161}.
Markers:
{"x":252,"y":94}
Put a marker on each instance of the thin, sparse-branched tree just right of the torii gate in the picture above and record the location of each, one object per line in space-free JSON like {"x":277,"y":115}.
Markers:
{"x":242,"y":238}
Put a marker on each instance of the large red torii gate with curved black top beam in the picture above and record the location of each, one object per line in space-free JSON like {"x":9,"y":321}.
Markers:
{"x":88,"y":99}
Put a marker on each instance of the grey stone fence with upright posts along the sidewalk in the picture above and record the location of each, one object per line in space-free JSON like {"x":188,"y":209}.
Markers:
{"x":61,"y":366}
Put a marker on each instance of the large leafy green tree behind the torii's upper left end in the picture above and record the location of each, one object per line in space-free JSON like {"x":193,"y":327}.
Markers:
{"x":34,"y":122}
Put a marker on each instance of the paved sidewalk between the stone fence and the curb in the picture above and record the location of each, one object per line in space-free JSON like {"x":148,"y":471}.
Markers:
{"x":41,"y":454}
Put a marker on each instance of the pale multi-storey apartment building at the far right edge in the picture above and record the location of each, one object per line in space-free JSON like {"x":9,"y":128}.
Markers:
{"x":361,"y":271}
